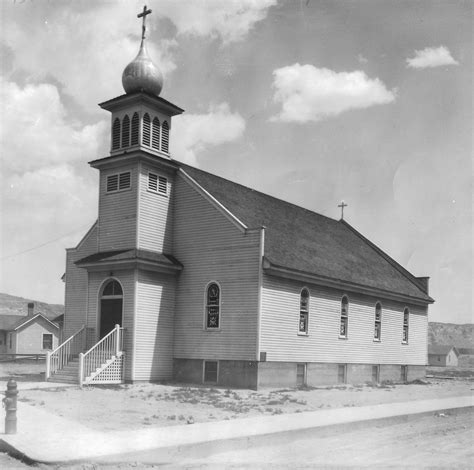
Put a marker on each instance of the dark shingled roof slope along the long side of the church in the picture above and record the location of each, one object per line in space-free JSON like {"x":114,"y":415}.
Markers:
{"x":304,"y":241}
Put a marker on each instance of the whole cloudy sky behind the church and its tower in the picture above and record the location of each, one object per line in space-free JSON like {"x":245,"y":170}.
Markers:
{"x":311,"y":101}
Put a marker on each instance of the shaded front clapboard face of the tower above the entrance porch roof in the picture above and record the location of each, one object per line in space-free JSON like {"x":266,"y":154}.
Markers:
{"x":118,"y":213}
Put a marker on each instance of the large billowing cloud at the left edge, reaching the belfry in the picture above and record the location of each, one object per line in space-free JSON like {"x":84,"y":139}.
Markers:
{"x":36,"y":131}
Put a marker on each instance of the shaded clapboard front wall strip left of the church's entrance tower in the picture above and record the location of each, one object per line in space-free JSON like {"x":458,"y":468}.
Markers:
{"x":75,"y":311}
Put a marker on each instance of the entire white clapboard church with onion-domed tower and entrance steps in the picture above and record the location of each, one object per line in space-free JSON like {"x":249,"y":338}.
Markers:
{"x":187,"y":276}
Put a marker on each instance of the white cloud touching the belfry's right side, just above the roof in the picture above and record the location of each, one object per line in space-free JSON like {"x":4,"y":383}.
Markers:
{"x":200,"y":131}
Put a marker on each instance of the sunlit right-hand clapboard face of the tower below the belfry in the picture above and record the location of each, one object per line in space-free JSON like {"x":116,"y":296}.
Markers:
{"x":155,"y":214}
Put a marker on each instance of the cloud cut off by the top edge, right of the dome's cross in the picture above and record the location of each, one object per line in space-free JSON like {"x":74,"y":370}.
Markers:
{"x":231,"y":20}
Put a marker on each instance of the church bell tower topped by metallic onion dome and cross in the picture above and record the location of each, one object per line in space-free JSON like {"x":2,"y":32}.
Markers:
{"x":137,"y":178}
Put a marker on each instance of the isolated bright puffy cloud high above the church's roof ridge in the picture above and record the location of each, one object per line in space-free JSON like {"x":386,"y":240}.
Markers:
{"x":308,"y":93}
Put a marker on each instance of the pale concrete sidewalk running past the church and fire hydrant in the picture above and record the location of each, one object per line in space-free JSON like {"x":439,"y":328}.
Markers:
{"x":44,"y":437}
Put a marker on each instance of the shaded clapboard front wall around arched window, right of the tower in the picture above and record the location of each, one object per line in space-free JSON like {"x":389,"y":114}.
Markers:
{"x":211,"y":248}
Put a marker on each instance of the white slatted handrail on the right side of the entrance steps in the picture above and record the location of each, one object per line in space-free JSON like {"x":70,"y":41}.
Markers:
{"x":110,"y":345}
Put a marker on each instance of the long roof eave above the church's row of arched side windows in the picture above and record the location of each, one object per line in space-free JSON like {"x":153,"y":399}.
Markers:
{"x":288,"y":273}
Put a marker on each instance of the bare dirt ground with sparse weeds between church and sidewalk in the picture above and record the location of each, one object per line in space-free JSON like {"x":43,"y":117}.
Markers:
{"x":117,"y":407}
